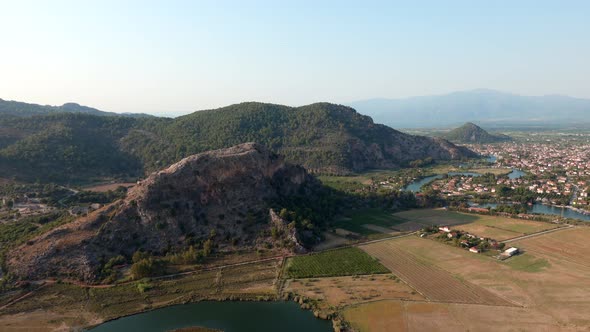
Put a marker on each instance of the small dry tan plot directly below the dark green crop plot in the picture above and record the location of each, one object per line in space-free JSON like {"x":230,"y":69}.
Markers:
{"x":342,"y":291}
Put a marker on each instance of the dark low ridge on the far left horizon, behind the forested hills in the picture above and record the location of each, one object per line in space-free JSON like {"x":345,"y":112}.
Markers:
{"x":20,"y":109}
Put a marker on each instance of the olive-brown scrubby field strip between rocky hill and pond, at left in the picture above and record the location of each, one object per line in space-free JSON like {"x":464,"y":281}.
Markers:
{"x":59,"y":305}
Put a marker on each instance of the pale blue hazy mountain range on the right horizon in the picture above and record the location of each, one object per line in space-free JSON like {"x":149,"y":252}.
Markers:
{"x":489,"y":107}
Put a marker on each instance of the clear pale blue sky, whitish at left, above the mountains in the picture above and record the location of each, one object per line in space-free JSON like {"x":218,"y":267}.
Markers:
{"x":181,"y":56}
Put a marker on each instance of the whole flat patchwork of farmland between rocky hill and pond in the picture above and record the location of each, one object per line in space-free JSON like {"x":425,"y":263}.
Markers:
{"x":432,"y":286}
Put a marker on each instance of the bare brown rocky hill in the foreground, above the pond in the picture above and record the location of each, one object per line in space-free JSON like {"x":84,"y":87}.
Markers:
{"x":224,"y":195}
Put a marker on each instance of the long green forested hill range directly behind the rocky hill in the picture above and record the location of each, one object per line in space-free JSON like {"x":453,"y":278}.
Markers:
{"x":323,"y":137}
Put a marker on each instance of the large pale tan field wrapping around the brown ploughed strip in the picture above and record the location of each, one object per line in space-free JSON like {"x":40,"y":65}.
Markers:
{"x":549,"y":290}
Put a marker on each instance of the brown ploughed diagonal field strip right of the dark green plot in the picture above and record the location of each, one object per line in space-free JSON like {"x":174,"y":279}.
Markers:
{"x":434,"y":283}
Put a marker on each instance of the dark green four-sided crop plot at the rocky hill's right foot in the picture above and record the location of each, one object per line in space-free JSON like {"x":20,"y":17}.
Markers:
{"x":338,"y":262}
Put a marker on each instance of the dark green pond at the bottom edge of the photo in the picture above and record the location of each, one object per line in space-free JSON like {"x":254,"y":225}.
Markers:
{"x":228,"y":316}
